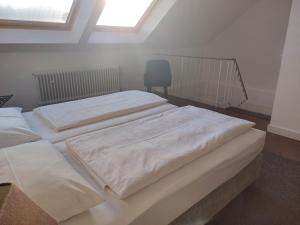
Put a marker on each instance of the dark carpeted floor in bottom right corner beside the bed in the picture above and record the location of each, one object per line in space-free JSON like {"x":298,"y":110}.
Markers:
{"x":274,"y":199}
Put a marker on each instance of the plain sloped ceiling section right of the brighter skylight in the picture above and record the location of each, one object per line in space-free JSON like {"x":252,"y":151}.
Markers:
{"x":194,"y":22}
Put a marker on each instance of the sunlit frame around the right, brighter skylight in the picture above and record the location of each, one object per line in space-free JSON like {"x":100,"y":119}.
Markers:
{"x":138,"y":26}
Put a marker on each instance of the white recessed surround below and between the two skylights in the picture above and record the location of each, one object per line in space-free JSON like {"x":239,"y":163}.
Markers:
{"x":83,"y":30}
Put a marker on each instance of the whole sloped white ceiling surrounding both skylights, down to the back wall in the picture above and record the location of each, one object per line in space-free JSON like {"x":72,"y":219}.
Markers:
{"x":172,"y":23}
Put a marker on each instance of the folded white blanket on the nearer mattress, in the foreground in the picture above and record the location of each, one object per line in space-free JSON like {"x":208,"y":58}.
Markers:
{"x":129,"y":157}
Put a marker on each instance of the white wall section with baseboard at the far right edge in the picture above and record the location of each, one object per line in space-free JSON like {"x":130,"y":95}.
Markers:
{"x":286,"y":112}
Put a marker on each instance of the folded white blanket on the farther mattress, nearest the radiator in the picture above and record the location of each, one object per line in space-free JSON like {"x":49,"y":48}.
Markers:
{"x":81,"y":112}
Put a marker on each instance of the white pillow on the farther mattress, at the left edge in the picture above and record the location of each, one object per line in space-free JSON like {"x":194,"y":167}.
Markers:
{"x":13,"y":128}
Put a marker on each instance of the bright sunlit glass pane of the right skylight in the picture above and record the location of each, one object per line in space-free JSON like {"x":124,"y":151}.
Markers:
{"x":124,"y":13}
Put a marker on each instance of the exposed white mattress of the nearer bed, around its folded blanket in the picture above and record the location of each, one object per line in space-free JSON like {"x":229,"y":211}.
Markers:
{"x":163,"y":201}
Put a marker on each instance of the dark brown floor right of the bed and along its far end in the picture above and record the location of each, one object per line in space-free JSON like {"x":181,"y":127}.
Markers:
{"x":274,"y":199}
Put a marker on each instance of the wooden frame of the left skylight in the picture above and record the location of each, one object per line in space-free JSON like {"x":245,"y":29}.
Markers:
{"x":40,"y":25}
